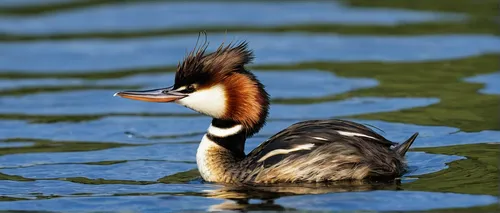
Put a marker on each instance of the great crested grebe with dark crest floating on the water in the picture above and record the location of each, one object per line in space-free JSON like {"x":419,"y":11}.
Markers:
{"x":218,"y":85}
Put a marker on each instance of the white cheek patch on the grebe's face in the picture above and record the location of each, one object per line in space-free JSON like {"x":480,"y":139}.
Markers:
{"x":211,"y":101}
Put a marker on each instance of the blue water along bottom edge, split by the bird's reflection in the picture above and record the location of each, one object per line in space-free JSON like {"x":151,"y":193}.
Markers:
{"x":377,"y":200}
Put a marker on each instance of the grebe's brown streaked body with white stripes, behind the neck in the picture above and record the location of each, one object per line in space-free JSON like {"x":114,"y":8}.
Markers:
{"x":322,"y":150}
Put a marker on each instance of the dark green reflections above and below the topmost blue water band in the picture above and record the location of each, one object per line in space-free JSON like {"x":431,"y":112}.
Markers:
{"x":481,"y":20}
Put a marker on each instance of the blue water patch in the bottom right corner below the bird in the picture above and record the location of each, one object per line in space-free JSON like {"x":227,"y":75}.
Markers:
{"x":386,"y":201}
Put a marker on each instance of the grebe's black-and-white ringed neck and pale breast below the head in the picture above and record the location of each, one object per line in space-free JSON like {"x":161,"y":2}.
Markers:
{"x":220,"y":150}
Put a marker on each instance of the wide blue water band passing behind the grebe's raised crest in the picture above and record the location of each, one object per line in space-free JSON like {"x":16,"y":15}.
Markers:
{"x":103,"y":55}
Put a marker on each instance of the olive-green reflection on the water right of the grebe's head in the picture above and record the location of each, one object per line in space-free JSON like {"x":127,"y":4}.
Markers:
{"x":460,"y":103}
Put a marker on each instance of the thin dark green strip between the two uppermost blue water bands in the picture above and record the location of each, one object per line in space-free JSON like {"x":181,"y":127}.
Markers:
{"x":472,"y":27}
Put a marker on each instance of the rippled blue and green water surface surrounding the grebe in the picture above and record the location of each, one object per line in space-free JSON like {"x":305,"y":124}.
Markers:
{"x":66,"y":144}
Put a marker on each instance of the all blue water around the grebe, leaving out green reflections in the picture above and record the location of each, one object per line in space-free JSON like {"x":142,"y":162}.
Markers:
{"x":163,"y":142}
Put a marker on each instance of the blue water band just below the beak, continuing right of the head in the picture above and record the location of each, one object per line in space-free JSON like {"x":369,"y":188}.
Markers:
{"x":103,"y":102}
